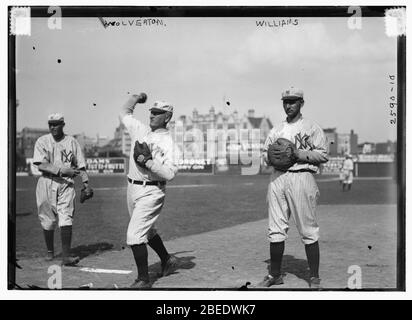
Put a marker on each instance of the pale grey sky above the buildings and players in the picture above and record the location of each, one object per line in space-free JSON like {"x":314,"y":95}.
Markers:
{"x":204,"y":62}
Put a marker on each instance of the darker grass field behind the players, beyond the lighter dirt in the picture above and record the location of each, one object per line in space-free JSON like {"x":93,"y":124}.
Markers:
{"x":194,"y":204}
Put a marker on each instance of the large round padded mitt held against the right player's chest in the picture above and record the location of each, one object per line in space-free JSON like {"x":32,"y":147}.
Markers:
{"x":282,"y":154}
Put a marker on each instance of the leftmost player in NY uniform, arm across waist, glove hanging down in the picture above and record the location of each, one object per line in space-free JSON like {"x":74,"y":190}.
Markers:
{"x":59,"y":158}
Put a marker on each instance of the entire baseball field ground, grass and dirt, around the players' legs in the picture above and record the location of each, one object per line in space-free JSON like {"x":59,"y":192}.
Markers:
{"x":217,"y":226}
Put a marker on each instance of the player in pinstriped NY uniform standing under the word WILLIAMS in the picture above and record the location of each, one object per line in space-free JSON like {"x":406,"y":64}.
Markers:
{"x":294,"y":192}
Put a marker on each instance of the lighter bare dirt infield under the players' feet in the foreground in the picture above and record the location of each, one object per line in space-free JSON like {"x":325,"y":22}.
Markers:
{"x":228,"y":258}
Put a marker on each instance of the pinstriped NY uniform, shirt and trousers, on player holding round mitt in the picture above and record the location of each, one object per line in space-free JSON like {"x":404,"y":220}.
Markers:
{"x":295,"y":192}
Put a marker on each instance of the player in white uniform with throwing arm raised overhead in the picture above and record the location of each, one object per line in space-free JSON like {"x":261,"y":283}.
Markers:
{"x":152,"y":163}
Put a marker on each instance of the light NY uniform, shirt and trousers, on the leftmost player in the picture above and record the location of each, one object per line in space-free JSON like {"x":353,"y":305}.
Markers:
{"x":55,"y":195}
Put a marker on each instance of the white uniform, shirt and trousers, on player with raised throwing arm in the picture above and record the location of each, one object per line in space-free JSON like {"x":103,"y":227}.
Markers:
{"x":145,"y":202}
